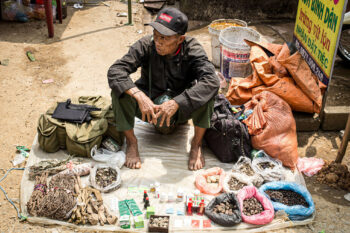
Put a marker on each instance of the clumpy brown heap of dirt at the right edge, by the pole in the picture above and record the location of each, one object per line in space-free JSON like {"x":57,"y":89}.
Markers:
{"x":335,"y":175}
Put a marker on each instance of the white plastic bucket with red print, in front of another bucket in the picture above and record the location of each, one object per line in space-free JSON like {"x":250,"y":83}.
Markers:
{"x":234,"y":52}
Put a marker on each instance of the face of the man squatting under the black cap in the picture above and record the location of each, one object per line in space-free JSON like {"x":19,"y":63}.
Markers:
{"x":167,"y":45}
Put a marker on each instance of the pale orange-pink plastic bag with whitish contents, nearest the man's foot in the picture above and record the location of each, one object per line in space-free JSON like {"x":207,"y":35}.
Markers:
{"x":204,"y":187}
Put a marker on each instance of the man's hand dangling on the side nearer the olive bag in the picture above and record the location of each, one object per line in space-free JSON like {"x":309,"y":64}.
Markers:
{"x":147,"y":107}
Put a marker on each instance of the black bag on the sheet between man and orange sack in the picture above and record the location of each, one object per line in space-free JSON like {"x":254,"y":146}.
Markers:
{"x":227,"y":137}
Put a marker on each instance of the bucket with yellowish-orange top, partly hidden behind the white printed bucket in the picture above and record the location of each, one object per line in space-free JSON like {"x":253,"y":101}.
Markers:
{"x":214,"y":29}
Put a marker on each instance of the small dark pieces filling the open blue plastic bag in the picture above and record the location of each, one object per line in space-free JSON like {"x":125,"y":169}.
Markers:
{"x":287,"y":197}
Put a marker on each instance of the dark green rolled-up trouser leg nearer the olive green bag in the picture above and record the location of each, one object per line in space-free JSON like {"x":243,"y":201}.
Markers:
{"x":125,"y":109}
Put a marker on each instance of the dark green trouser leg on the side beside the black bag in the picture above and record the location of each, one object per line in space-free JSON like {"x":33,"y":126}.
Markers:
{"x":201,"y":117}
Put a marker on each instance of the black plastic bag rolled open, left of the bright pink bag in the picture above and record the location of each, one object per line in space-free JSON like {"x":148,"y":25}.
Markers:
{"x":220,"y":218}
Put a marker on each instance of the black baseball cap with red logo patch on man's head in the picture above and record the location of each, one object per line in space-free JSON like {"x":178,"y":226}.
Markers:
{"x":170,"y":21}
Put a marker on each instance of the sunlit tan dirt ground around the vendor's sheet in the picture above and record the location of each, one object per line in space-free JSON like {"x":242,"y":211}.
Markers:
{"x":77,"y":59}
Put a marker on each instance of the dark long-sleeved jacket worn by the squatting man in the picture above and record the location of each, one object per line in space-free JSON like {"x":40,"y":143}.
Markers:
{"x":176,"y":73}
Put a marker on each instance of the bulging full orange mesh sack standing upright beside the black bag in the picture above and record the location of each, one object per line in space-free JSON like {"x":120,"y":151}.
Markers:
{"x":272,"y":127}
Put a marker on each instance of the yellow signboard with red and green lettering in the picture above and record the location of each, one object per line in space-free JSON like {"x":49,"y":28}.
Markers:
{"x":316,"y":34}
